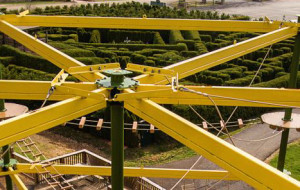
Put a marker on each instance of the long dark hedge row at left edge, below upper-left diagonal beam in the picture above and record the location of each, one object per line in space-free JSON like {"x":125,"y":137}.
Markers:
{"x":28,"y":60}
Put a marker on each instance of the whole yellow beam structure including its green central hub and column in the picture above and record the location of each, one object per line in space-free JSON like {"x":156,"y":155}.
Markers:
{"x":105,"y":85}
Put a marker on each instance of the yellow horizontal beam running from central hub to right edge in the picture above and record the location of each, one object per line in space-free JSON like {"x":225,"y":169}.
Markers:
{"x":223,"y":96}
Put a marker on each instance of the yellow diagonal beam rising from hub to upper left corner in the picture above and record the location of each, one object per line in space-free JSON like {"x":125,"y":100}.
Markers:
{"x":58,"y":58}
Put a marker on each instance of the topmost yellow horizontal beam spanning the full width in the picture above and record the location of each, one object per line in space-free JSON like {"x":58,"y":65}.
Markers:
{"x":144,"y":23}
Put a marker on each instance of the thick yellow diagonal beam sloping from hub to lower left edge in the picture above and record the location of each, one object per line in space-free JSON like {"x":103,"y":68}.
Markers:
{"x":33,"y":122}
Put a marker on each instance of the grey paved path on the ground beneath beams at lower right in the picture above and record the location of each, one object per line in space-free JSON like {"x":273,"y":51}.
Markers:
{"x":261,"y":150}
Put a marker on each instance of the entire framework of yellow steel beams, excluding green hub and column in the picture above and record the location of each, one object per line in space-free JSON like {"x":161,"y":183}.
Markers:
{"x":79,"y":99}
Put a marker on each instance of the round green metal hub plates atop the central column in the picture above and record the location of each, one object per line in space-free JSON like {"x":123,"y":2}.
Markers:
{"x":117,"y":80}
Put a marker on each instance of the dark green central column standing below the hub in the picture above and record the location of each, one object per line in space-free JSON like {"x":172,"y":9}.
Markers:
{"x":117,"y":140}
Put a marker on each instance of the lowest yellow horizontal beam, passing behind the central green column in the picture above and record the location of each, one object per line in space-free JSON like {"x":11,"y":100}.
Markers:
{"x":131,"y":172}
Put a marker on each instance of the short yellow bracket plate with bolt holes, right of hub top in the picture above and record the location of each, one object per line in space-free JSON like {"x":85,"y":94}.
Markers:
{"x":149,"y":70}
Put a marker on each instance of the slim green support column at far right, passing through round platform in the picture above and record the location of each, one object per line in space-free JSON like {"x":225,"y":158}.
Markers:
{"x":288,"y":112}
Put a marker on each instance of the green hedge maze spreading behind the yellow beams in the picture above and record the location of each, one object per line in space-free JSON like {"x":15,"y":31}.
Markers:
{"x":152,"y":48}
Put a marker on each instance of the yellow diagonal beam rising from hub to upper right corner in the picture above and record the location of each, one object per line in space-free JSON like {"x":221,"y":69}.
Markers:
{"x":211,"y":59}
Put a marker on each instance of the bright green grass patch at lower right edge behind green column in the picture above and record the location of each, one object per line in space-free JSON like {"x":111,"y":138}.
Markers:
{"x":292,"y":161}
